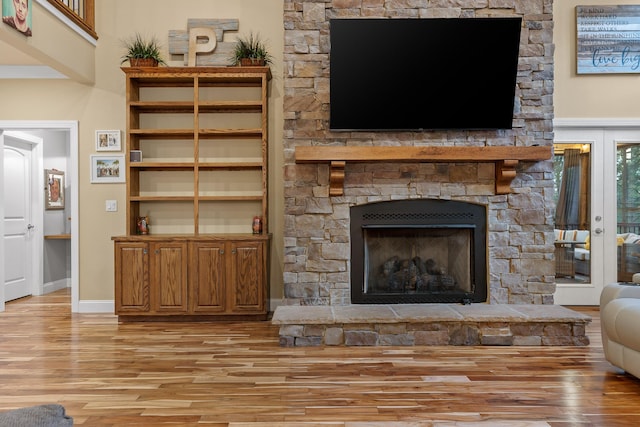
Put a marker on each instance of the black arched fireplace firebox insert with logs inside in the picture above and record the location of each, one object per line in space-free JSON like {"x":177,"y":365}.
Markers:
{"x":418,"y":251}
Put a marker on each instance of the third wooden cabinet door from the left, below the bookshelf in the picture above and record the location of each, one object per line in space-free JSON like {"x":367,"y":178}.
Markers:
{"x":207,"y":278}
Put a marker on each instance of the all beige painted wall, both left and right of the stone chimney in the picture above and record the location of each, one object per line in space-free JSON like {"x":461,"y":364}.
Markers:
{"x":101,"y":106}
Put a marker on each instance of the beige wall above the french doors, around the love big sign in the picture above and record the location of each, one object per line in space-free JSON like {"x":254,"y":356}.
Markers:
{"x":590,"y":96}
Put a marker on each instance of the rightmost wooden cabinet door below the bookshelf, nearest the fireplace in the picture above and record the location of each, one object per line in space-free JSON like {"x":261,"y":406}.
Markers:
{"x":246,"y":277}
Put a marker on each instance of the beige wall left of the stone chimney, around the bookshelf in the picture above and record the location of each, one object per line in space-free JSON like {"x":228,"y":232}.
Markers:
{"x":101,"y":106}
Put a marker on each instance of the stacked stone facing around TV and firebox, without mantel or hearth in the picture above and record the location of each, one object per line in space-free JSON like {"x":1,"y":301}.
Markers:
{"x":316,"y":232}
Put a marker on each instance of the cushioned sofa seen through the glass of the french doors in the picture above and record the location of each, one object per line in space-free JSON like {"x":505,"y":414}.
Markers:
{"x":573,"y":254}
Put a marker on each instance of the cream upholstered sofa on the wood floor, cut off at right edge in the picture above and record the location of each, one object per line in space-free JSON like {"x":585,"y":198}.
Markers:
{"x":619,"y":320}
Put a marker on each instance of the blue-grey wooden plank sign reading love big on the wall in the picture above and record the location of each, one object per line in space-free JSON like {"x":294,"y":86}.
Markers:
{"x":608,"y":39}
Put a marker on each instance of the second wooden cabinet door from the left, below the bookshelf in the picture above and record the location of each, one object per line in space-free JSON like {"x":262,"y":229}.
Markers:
{"x":168,"y":279}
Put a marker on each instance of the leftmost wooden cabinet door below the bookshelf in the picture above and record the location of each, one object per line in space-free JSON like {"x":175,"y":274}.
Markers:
{"x":132,"y":278}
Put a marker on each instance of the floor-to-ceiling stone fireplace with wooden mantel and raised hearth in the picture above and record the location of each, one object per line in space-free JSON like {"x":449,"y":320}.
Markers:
{"x":329,"y":177}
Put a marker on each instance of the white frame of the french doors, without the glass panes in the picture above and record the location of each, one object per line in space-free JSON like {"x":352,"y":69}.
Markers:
{"x":566,"y":293}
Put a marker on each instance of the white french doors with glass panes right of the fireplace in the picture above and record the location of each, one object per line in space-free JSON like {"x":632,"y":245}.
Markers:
{"x":597,"y":209}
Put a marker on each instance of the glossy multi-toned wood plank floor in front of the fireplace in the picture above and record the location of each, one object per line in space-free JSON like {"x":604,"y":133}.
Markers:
{"x":236,"y":374}
